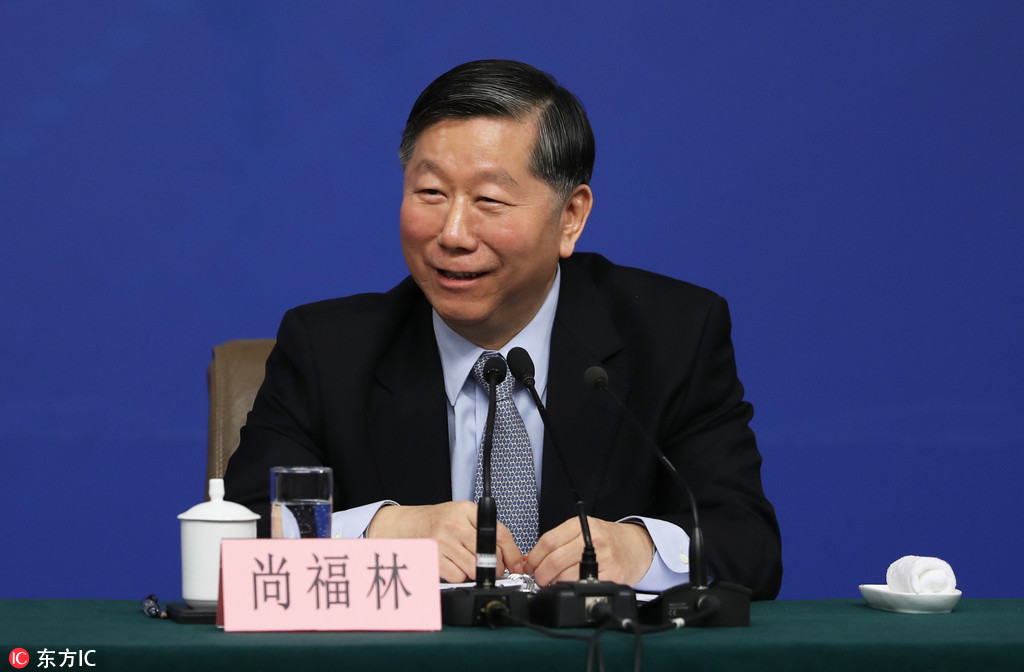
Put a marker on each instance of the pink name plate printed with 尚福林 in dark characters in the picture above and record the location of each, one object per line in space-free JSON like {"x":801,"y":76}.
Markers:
{"x":329,"y":584}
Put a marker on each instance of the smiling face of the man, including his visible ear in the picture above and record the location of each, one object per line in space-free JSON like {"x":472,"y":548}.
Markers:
{"x":481,"y":235}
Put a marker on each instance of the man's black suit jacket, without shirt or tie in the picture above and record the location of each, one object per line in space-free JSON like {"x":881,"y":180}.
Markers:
{"x":356,"y":384}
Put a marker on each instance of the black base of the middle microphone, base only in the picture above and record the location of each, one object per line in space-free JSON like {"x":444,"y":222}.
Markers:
{"x":572,"y":605}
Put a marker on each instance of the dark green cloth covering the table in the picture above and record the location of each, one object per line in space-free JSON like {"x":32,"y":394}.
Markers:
{"x":831,"y":635}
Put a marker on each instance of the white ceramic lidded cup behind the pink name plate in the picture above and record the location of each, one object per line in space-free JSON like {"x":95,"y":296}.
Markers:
{"x":203,"y":528}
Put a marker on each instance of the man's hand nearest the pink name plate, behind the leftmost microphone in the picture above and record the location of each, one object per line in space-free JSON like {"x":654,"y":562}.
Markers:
{"x":454,"y":526}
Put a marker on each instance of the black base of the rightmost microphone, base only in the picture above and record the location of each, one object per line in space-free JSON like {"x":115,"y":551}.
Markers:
{"x":718,"y":606}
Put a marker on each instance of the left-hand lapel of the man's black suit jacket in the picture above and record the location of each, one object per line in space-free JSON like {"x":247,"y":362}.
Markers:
{"x":409,"y":414}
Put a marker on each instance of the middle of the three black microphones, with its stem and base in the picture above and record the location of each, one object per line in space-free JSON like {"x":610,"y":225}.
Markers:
{"x":588,"y":602}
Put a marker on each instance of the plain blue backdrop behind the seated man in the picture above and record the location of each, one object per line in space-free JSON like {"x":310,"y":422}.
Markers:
{"x":850,"y":176}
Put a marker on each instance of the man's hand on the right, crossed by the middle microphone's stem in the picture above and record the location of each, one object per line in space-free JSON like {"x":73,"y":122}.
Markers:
{"x":625,"y":552}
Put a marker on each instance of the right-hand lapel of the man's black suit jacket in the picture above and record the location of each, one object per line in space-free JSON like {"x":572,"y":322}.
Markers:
{"x":584,"y":335}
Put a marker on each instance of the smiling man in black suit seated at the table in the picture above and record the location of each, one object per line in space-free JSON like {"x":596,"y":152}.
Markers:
{"x":497,"y":161}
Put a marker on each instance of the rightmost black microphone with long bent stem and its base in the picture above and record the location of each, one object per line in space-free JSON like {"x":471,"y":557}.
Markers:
{"x":696,"y":603}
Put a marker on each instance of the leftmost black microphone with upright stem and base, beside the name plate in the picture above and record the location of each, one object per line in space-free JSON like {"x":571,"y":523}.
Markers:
{"x":486,"y":604}
